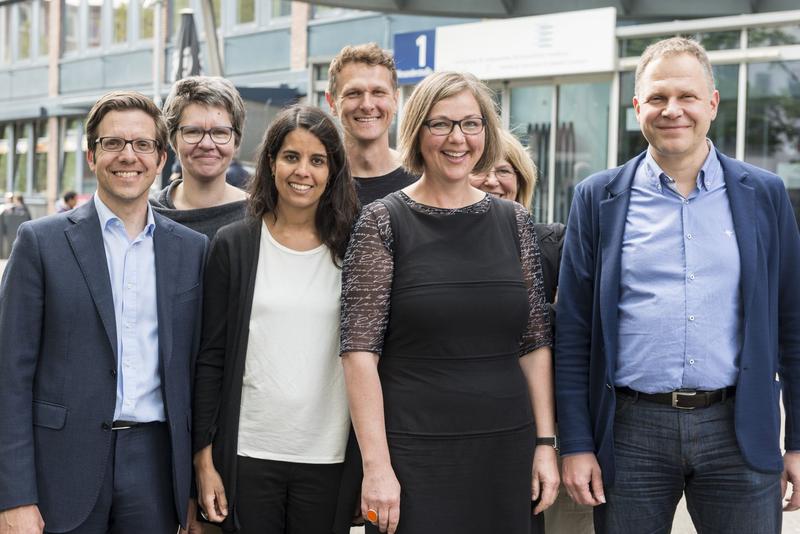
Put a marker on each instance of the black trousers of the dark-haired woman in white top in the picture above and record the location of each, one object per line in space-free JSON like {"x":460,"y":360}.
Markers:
{"x":285,"y":497}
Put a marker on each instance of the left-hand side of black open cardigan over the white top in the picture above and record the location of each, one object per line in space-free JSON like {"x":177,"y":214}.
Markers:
{"x":228,"y":299}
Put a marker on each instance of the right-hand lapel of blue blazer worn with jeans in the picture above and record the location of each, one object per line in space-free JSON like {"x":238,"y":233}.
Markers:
{"x":741,"y":196}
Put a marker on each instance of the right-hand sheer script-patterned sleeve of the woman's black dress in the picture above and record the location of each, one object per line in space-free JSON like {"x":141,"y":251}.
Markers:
{"x":538,"y":333}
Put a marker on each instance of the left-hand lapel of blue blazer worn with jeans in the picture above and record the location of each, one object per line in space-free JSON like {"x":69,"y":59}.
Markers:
{"x":613,"y":212}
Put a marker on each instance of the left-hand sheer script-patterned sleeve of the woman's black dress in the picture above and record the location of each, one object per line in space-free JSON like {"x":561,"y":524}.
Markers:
{"x":367,"y":281}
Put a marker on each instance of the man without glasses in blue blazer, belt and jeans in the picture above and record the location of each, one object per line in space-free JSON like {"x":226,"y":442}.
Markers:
{"x":679,"y":323}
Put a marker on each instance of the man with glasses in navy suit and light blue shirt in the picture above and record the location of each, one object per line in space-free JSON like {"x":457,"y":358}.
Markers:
{"x":99,"y":324}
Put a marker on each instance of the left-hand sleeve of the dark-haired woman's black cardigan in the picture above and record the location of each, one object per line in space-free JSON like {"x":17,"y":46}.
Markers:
{"x":211,"y":357}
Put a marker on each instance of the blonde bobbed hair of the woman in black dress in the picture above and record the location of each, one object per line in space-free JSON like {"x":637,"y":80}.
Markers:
{"x":432,"y":90}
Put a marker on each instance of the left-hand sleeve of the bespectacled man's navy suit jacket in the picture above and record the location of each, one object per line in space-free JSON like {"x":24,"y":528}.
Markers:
{"x":21,"y":317}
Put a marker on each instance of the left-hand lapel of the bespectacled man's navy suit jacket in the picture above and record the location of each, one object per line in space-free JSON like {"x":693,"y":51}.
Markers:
{"x":86,"y":240}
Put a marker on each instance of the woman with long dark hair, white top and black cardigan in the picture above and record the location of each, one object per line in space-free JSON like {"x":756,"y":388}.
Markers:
{"x":270,"y":408}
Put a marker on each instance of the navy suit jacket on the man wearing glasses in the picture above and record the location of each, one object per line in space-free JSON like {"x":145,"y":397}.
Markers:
{"x":59,"y":358}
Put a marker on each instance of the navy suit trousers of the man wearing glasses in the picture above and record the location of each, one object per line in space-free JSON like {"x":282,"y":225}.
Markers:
{"x":136,"y":495}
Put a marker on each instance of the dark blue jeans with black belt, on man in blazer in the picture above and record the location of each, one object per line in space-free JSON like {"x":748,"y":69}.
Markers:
{"x":662,"y":452}
